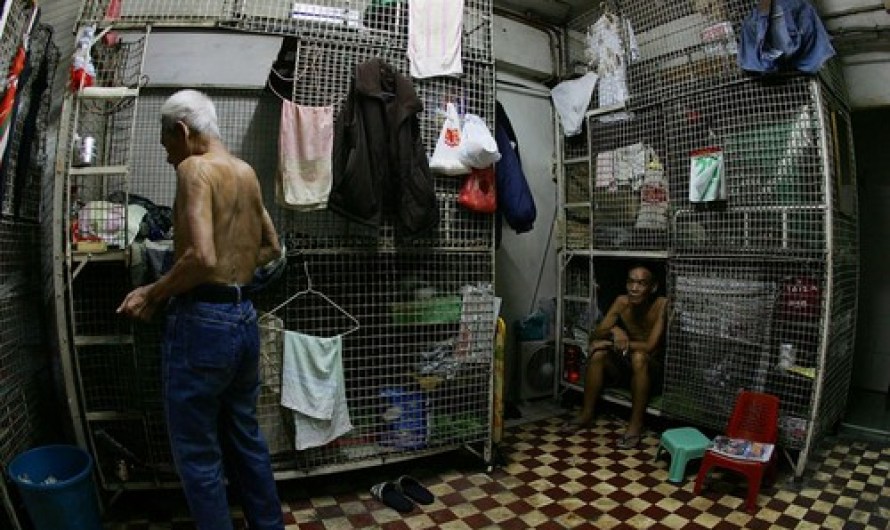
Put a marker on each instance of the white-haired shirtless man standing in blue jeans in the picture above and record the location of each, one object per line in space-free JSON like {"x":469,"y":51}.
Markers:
{"x":210,"y":349}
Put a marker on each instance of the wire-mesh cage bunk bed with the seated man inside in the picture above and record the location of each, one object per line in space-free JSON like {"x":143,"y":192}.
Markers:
{"x":763,"y":284}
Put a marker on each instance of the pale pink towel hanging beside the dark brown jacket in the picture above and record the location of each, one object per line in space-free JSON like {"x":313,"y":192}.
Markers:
{"x":305,"y":147}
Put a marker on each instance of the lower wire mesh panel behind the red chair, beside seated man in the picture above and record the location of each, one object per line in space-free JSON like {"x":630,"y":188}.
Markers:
{"x":744,"y":324}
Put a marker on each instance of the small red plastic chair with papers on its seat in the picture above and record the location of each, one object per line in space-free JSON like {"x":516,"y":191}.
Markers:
{"x":755,"y":417}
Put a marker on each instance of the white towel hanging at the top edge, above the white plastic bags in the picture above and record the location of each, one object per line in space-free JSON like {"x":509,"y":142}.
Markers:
{"x":435,"y":28}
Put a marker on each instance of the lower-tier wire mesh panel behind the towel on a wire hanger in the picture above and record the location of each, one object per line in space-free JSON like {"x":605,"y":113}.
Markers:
{"x":422,"y":347}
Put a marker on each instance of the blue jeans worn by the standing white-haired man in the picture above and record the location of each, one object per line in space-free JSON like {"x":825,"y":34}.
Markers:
{"x":211,"y":383}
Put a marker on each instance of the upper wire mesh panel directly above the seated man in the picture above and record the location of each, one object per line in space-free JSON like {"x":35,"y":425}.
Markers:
{"x":629,"y":188}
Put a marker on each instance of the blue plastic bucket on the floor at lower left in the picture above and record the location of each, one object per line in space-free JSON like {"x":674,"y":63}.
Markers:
{"x":56,"y":486}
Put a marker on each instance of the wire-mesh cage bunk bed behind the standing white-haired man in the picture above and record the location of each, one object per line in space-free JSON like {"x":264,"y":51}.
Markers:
{"x":418,"y":366}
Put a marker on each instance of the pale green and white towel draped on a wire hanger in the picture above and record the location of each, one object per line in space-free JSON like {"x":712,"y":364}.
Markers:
{"x":312,"y":385}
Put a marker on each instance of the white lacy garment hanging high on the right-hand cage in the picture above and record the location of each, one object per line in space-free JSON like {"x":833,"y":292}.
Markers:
{"x":611,"y":44}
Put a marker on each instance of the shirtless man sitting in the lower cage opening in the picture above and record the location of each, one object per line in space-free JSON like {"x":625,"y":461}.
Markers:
{"x":627,"y":347}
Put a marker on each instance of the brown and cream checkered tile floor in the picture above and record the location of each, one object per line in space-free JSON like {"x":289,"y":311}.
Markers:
{"x":548,"y":481}
